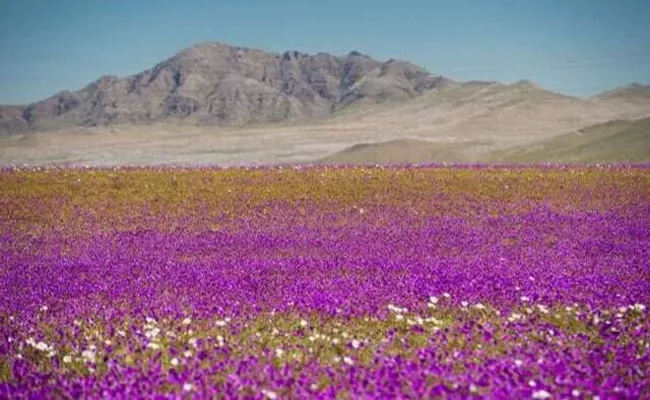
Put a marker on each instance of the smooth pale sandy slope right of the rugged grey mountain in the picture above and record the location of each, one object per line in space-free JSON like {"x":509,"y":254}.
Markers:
{"x":509,"y":114}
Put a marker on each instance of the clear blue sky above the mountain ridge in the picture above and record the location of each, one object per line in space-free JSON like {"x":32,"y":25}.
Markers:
{"x":577,"y":47}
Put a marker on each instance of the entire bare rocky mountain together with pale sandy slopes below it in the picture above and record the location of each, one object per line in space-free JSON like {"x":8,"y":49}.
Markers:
{"x":217,"y":104}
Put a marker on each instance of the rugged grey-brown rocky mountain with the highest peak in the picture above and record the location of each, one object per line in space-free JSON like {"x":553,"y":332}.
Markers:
{"x":217,"y":84}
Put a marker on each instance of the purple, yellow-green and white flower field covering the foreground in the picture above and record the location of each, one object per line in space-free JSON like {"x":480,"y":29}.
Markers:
{"x":366,"y":282}
